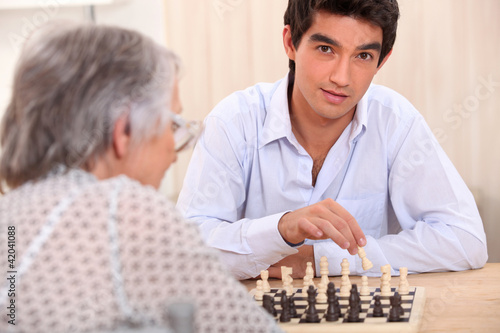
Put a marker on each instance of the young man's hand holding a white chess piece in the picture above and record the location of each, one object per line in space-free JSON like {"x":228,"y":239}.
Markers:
{"x":323,"y":220}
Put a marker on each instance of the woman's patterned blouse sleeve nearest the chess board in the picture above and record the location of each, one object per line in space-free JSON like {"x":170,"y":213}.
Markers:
{"x":165,"y":261}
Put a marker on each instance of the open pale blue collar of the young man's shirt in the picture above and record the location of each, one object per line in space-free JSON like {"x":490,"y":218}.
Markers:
{"x":277,"y":124}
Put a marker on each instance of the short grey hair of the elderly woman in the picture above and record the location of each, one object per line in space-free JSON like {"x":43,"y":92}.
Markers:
{"x":71,"y":84}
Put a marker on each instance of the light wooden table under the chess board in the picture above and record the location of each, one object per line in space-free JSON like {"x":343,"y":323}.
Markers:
{"x":467,"y":301}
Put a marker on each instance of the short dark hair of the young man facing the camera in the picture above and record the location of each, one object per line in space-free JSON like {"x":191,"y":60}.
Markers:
{"x":383,"y":13}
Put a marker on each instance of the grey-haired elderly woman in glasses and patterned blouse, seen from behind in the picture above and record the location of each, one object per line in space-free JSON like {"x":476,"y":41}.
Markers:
{"x":89,"y":132}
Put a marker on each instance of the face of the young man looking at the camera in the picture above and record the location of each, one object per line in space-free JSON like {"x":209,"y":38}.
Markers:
{"x":335,"y":63}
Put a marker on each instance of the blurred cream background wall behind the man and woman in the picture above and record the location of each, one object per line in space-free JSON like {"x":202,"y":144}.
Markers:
{"x":445,"y":61}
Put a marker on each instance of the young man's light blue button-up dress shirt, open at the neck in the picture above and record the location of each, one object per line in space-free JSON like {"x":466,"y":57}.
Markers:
{"x":387,"y":169}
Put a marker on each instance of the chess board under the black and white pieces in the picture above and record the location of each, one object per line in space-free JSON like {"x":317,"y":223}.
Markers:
{"x":413,"y":305}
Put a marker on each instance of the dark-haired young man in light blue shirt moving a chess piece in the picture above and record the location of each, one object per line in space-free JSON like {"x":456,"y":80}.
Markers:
{"x":323,"y":161}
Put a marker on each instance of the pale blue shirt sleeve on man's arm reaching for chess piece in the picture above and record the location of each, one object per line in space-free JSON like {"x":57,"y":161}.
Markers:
{"x":214,"y":195}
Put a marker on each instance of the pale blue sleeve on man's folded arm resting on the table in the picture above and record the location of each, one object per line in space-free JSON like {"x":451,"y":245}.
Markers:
{"x":435,"y":225}
